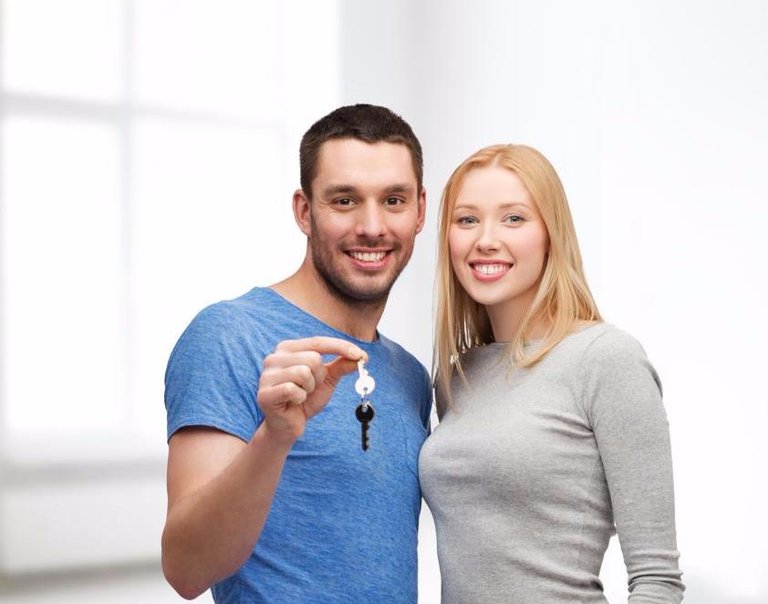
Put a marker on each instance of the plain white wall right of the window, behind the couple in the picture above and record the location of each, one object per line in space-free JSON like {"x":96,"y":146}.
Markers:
{"x":654,"y":115}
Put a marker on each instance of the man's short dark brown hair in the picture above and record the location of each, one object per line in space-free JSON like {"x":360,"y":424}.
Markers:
{"x":369,"y":123}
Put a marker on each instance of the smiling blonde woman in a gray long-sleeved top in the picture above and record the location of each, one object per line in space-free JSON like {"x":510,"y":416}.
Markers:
{"x":552,"y":431}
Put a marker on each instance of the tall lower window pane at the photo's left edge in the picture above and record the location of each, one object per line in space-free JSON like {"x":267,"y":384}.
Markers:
{"x":62,"y":319}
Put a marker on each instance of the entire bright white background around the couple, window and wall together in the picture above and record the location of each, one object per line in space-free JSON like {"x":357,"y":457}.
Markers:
{"x":653,"y":113}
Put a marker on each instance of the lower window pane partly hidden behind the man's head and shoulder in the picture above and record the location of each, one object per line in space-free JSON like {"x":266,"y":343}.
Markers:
{"x":210,"y":219}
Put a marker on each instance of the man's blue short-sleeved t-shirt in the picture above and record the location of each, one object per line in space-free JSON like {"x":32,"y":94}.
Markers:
{"x":343,"y":523}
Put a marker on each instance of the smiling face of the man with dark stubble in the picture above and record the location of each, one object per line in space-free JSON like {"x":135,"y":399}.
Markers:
{"x":364,"y":215}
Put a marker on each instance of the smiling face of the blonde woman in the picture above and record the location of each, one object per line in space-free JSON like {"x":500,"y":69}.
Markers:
{"x":498,"y":243}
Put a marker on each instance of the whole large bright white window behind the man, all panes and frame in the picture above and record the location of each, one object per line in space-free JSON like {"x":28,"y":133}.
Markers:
{"x":148,"y":154}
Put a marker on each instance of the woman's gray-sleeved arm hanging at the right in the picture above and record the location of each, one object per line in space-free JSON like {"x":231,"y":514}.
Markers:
{"x":623,"y":400}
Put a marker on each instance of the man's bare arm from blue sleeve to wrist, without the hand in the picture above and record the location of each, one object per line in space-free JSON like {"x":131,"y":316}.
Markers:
{"x":219,"y":493}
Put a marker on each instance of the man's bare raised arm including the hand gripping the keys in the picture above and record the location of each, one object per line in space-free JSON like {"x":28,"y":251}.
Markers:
{"x":220,"y":489}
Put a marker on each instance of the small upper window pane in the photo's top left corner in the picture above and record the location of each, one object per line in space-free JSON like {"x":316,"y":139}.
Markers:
{"x":70,"y":48}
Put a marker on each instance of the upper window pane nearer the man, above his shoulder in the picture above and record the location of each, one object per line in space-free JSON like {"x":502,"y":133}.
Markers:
{"x":204,"y":55}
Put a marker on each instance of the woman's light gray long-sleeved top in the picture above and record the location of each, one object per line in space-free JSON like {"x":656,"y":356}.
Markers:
{"x":531,"y":471}
